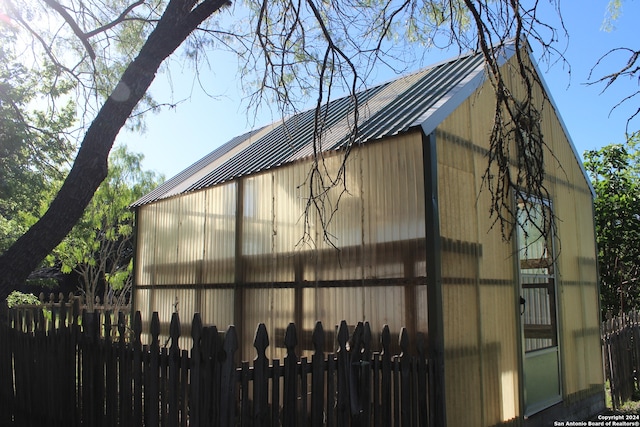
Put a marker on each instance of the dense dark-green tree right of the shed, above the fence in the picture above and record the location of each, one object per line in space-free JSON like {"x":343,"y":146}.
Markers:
{"x":615,"y":175}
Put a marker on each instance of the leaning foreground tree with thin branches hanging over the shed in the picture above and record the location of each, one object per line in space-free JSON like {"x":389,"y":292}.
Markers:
{"x":111,"y":51}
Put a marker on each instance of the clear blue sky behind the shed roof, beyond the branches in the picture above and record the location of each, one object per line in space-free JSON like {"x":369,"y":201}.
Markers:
{"x":178,"y":137}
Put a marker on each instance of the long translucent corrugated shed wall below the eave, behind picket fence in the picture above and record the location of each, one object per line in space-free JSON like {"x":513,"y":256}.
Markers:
{"x":282,"y":269}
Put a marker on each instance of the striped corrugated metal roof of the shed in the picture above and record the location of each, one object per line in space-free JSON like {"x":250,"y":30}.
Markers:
{"x":423,"y":98}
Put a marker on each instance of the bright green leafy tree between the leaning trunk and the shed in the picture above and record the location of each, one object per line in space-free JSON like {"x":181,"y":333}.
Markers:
{"x":100,"y":246}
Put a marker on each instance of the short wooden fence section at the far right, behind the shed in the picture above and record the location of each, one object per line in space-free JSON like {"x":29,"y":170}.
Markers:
{"x":621,"y":348}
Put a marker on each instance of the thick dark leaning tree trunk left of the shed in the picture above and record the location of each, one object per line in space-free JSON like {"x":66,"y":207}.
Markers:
{"x":180,"y":18}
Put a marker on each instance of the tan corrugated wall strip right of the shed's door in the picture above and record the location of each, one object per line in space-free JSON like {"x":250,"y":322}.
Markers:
{"x":578,"y":294}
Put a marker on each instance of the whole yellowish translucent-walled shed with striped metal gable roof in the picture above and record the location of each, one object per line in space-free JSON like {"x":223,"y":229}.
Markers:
{"x":411,"y":244}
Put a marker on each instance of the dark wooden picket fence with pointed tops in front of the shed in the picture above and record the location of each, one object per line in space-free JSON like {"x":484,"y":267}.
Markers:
{"x":69,"y":373}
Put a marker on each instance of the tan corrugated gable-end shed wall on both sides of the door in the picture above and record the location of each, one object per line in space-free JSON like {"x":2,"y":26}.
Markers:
{"x":480,"y":282}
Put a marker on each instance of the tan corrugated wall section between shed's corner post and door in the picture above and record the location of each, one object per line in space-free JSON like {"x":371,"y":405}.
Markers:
{"x":479,"y":279}
